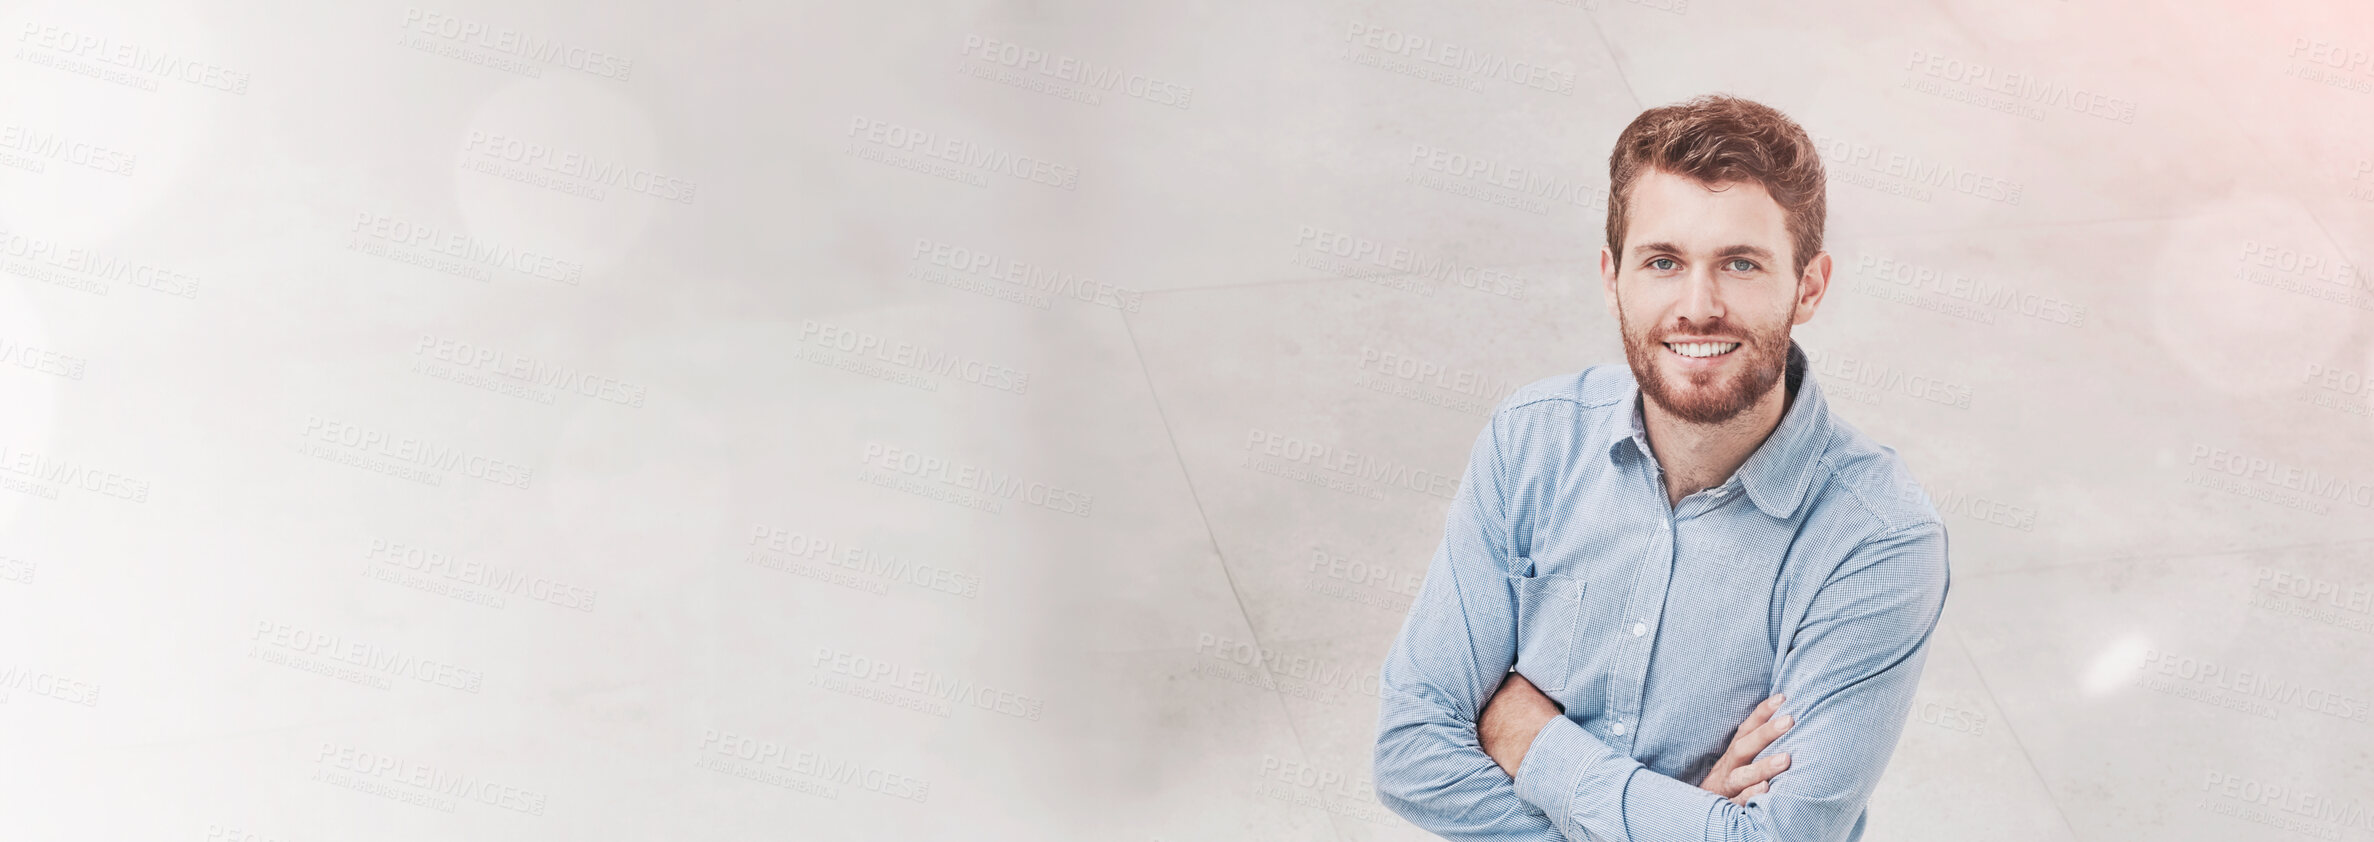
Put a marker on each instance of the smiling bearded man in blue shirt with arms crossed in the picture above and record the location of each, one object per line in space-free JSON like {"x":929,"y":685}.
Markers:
{"x":1675,"y":599}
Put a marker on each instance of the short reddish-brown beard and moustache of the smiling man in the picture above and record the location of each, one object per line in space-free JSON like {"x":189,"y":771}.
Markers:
{"x":1706,"y":397}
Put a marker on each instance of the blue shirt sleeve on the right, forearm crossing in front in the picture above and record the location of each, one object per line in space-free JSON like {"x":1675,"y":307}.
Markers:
{"x":1851,"y":672}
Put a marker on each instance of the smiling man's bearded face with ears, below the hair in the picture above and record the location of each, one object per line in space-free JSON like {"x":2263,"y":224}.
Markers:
{"x":1708,"y":295}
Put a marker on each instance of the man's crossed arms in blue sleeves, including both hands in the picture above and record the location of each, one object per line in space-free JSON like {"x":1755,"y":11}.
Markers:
{"x":1846,"y":680}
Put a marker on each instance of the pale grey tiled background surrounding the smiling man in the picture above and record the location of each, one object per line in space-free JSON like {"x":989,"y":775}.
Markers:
{"x":212,"y":625}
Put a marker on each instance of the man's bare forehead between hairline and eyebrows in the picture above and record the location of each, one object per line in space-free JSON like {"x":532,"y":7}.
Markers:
{"x":1668,"y":208}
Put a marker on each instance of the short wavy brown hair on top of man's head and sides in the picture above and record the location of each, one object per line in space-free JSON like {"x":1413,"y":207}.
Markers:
{"x":1722,"y":139}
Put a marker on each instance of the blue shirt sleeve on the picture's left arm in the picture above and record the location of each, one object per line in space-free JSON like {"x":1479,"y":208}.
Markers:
{"x":1447,"y":663}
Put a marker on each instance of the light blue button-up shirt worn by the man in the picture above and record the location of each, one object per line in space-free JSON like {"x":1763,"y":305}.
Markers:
{"x":1817,"y":570}
